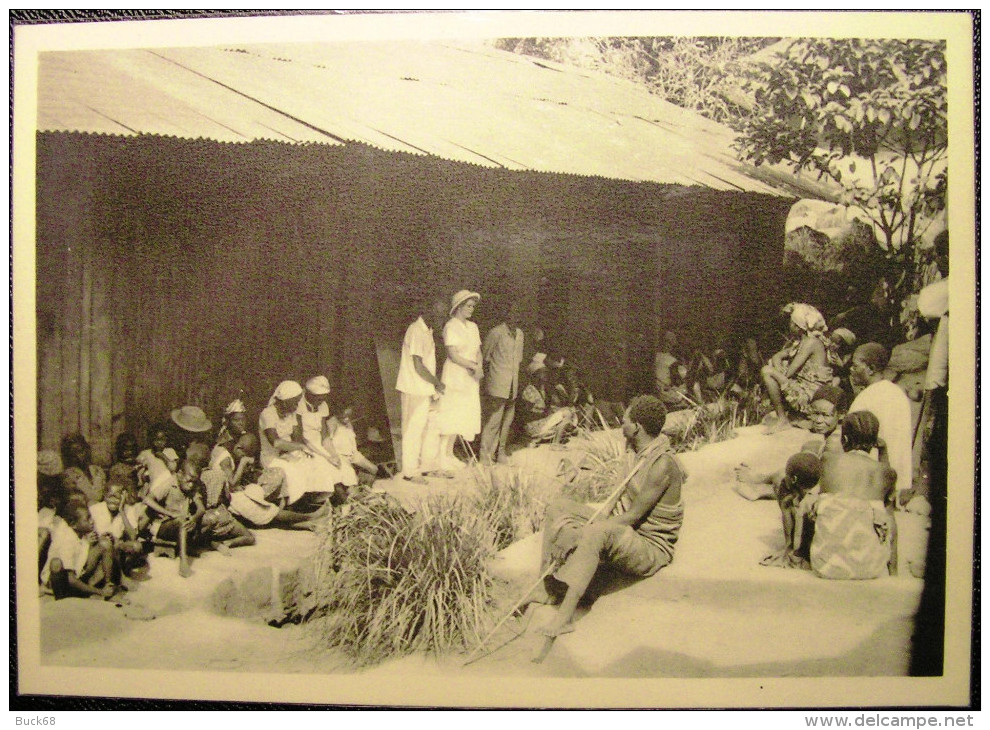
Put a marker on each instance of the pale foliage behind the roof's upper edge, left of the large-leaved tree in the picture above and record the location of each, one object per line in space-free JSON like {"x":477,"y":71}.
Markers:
{"x":699,"y":74}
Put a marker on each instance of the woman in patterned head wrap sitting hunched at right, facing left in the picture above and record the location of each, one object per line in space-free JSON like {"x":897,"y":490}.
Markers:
{"x":794,"y":374}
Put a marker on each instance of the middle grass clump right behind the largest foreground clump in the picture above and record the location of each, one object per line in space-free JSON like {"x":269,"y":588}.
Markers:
{"x":510,"y":501}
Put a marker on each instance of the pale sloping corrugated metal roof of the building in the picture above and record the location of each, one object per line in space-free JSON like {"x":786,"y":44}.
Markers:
{"x":466,"y":103}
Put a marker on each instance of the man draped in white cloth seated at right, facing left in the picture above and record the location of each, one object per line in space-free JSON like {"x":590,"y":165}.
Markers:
{"x":889,"y":403}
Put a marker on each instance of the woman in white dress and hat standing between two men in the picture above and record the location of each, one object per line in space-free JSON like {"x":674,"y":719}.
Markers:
{"x":460,"y":405}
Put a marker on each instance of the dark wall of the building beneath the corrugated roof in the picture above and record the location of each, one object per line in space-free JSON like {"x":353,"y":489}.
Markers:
{"x":175,"y":271}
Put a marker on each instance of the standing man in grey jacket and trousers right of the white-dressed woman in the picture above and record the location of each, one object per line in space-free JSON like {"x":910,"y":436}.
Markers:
{"x":502,"y":353}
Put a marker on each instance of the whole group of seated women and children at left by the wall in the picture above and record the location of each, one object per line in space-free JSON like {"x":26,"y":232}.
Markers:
{"x":188,"y":492}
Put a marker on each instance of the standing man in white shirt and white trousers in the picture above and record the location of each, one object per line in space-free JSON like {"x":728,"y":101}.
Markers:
{"x":420,"y":388}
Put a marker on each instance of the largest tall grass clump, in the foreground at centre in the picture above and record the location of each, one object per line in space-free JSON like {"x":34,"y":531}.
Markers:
{"x":391,"y":582}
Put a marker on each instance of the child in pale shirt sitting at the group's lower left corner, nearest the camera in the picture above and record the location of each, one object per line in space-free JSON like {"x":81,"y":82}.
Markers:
{"x":79,"y":563}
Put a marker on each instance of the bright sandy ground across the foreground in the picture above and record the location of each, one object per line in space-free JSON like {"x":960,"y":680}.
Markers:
{"x":713,"y":613}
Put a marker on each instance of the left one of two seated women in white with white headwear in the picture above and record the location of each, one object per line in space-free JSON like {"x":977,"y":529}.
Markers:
{"x":280,"y":431}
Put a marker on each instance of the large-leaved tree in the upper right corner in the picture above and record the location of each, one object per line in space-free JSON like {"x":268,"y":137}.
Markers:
{"x":836,"y":107}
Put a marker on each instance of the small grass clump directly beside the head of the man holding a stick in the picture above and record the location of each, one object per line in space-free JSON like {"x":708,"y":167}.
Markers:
{"x":601,"y":460}
